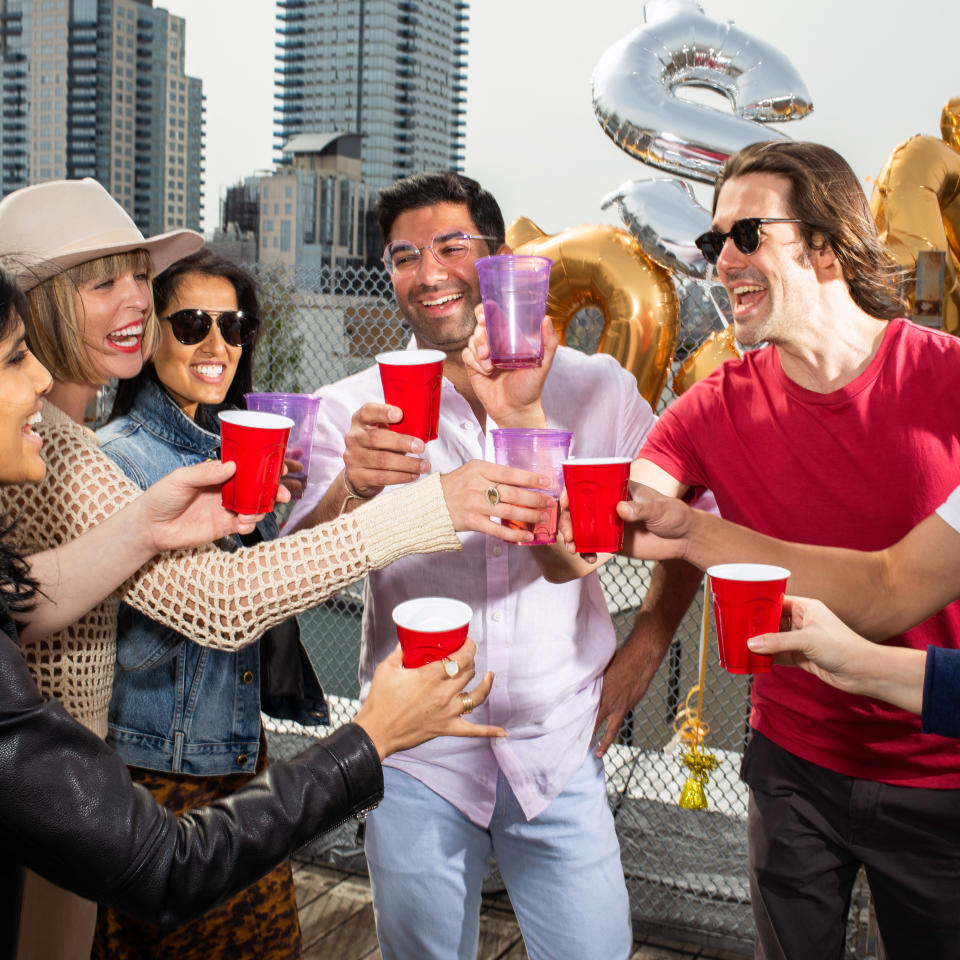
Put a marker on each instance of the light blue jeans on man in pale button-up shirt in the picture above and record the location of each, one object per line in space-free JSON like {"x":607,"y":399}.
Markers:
{"x":562,"y":871}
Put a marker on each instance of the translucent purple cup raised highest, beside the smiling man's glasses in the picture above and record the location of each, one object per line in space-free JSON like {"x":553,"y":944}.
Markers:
{"x":514,"y":290}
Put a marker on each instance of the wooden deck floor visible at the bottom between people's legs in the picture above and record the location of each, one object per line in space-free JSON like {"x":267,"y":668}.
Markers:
{"x":336,"y":919}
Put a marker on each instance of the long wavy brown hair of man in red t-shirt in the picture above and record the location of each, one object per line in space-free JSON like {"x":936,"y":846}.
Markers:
{"x":826,"y":195}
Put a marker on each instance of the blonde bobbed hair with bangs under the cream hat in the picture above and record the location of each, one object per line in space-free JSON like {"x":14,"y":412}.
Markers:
{"x":55,"y":332}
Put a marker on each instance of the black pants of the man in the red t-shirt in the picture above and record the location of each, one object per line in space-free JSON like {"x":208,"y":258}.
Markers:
{"x":810,"y":829}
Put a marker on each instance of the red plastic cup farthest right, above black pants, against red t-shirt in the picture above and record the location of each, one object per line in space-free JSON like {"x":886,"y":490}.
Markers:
{"x":747,"y":600}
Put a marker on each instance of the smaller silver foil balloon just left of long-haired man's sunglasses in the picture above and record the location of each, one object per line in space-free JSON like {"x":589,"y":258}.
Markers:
{"x":664,"y":217}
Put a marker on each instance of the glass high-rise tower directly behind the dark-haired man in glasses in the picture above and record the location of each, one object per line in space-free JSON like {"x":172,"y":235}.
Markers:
{"x":392,"y":71}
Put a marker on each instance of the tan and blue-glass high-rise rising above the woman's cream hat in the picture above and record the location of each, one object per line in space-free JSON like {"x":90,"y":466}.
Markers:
{"x":96,"y":88}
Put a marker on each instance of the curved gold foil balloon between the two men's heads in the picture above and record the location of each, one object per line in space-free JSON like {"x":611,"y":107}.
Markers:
{"x":604,"y":267}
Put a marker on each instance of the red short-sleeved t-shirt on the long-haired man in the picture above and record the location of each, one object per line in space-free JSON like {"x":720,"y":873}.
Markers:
{"x":859,"y":468}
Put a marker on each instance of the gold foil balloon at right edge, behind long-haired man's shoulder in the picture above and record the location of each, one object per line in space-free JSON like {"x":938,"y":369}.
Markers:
{"x":916,"y":203}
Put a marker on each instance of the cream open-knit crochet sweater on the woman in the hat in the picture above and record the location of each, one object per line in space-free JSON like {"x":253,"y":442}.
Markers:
{"x":217,"y":598}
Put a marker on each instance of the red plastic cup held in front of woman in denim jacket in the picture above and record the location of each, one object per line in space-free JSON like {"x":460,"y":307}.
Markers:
{"x":256,"y":443}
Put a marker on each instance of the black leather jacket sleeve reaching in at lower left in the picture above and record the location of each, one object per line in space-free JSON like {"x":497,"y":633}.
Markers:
{"x":69,"y":811}
